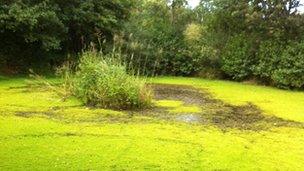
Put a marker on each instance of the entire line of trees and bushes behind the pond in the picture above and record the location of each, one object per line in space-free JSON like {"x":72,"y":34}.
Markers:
{"x":232,"y":39}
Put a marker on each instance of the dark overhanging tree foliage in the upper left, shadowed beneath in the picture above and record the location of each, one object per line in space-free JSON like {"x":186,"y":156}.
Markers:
{"x":35,"y":32}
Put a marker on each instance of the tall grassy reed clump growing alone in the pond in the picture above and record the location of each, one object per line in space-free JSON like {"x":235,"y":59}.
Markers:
{"x":102,"y":81}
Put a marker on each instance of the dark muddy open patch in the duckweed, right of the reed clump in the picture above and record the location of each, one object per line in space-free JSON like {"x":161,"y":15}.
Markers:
{"x":213,"y":111}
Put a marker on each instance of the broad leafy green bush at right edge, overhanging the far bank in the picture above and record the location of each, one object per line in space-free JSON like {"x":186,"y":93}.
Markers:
{"x":281,"y":65}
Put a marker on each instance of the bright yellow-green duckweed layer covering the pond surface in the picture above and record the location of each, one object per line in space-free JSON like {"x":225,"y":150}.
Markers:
{"x":40,"y":132}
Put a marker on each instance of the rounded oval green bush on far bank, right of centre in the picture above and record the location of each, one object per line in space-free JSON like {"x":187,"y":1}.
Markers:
{"x":237,"y":58}
